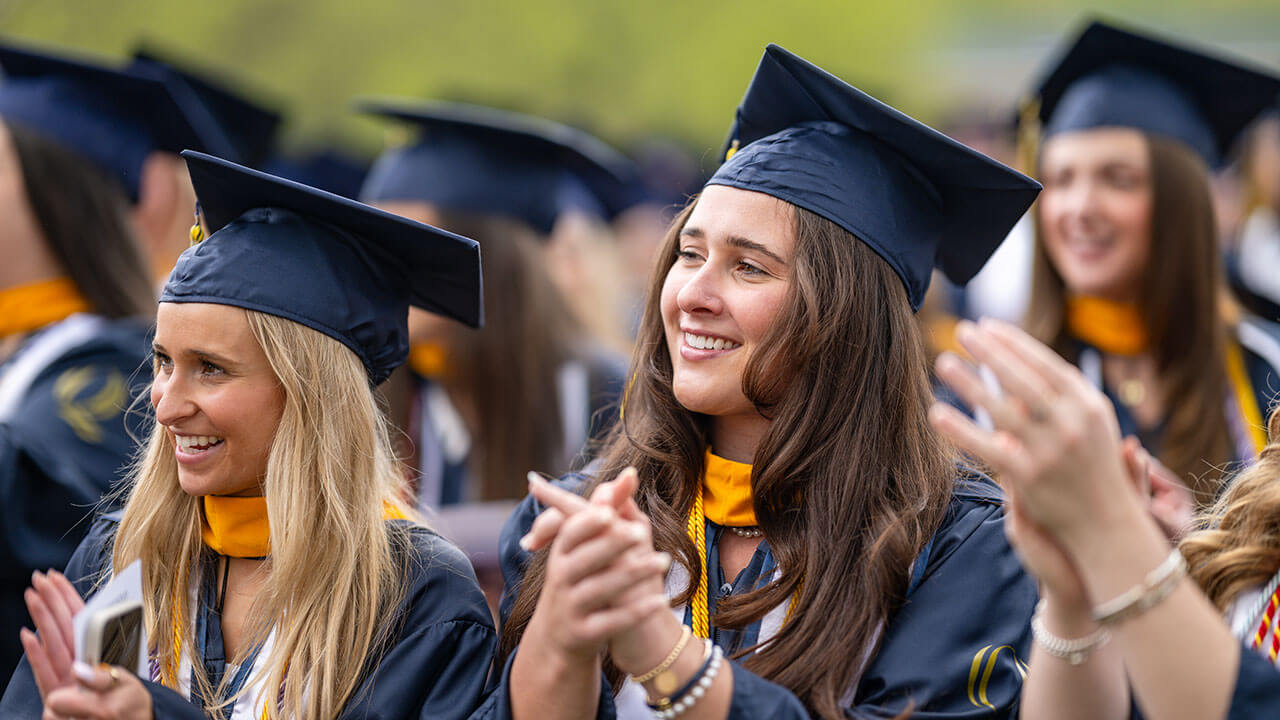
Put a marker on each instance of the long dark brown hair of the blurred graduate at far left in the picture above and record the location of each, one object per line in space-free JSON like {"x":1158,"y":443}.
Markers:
{"x":85,"y":220}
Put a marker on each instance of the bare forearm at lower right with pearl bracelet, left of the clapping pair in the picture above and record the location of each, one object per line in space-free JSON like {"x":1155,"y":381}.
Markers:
{"x":1055,"y":690}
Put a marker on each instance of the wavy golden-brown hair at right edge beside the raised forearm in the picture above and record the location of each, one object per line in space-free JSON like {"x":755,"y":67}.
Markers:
{"x":1241,"y":546}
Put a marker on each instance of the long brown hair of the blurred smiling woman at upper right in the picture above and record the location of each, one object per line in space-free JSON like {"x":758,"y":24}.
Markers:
{"x":1180,"y":300}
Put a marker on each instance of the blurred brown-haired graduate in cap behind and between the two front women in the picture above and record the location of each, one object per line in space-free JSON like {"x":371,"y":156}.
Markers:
{"x":532,"y":389}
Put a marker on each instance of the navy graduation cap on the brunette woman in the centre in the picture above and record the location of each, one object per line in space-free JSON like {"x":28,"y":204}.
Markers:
{"x":916,"y":197}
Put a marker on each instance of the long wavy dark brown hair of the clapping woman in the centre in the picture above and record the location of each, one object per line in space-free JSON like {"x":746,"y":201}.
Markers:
{"x":849,"y":482}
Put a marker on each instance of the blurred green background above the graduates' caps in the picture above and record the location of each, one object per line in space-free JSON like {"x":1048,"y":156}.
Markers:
{"x":623,"y":70}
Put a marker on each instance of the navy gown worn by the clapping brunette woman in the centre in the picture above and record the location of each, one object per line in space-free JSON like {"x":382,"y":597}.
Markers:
{"x":957,"y":649}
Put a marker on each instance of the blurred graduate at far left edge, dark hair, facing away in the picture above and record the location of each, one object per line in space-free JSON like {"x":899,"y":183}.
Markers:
{"x":79,"y":158}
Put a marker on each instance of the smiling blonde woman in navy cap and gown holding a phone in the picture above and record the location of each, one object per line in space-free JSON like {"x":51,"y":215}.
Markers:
{"x":281,"y":576}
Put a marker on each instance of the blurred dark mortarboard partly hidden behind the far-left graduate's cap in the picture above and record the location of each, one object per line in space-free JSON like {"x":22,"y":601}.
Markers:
{"x":248,"y":127}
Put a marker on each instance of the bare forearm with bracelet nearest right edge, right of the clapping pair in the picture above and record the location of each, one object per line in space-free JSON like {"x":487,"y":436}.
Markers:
{"x":1181,"y":658}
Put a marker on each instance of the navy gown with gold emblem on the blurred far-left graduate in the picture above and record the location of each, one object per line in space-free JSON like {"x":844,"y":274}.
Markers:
{"x":65,"y":436}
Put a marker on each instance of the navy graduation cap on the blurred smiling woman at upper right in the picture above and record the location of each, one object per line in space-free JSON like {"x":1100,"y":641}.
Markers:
{"x":1112,"y":78}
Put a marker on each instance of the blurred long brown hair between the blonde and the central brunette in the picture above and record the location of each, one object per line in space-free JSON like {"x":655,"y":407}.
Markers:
{"x":508,"y":372}
